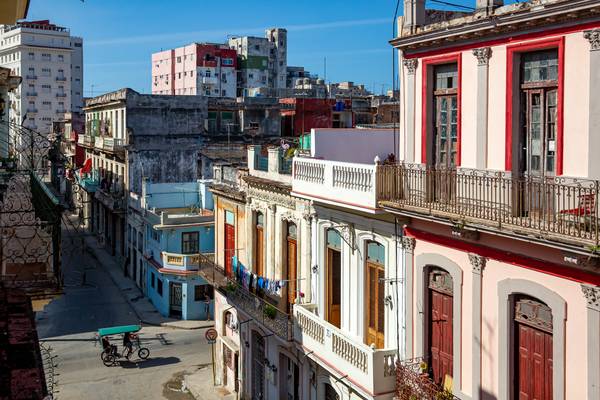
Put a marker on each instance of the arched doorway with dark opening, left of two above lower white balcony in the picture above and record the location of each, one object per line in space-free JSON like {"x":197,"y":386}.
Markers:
{"x":333,"y":277}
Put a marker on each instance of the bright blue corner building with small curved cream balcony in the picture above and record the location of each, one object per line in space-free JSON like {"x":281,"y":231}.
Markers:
{"x":179,"y":227}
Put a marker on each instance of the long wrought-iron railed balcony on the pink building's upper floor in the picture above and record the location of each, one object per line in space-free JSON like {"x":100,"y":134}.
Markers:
{"x":555,"y":208}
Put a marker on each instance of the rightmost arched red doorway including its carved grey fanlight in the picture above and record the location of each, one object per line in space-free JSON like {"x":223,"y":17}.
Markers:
{"x":532,"y":350}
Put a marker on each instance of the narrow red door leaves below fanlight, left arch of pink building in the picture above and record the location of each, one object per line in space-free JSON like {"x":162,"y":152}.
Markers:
{"x":441,"y":335}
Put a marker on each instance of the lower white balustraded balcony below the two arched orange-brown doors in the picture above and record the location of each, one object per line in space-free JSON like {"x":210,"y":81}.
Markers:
{"x":372,"y":369}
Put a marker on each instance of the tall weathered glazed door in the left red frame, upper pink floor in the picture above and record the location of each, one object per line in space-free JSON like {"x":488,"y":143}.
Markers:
{"x":445,"y":133}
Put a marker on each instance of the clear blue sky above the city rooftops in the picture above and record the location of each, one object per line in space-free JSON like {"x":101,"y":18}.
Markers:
{"x":120,"y":35}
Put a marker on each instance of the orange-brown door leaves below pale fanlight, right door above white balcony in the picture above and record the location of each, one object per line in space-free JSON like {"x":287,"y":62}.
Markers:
{"x":375,"y":305}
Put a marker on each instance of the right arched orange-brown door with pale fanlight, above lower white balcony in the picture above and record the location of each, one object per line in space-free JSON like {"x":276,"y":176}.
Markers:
{"x":375,"y":295}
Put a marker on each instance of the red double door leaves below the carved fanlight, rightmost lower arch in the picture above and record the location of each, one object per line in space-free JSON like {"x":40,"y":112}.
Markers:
{"x":534,"y":366}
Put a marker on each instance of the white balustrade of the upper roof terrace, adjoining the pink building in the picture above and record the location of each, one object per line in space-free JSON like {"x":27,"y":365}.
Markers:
{"x":335,"y":182}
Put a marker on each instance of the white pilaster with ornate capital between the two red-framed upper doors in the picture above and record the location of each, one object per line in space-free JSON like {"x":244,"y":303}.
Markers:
{"x":483,"y":57}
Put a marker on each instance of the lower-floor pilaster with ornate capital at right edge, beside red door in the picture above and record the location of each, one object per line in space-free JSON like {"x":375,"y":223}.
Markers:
{"x":592,"y":296}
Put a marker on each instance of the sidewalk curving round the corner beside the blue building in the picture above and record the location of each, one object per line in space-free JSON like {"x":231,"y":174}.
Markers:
{"x":141,"y":305}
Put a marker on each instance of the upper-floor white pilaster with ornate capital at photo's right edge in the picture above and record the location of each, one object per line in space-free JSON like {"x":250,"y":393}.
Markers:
{"x":593,"y":37}
